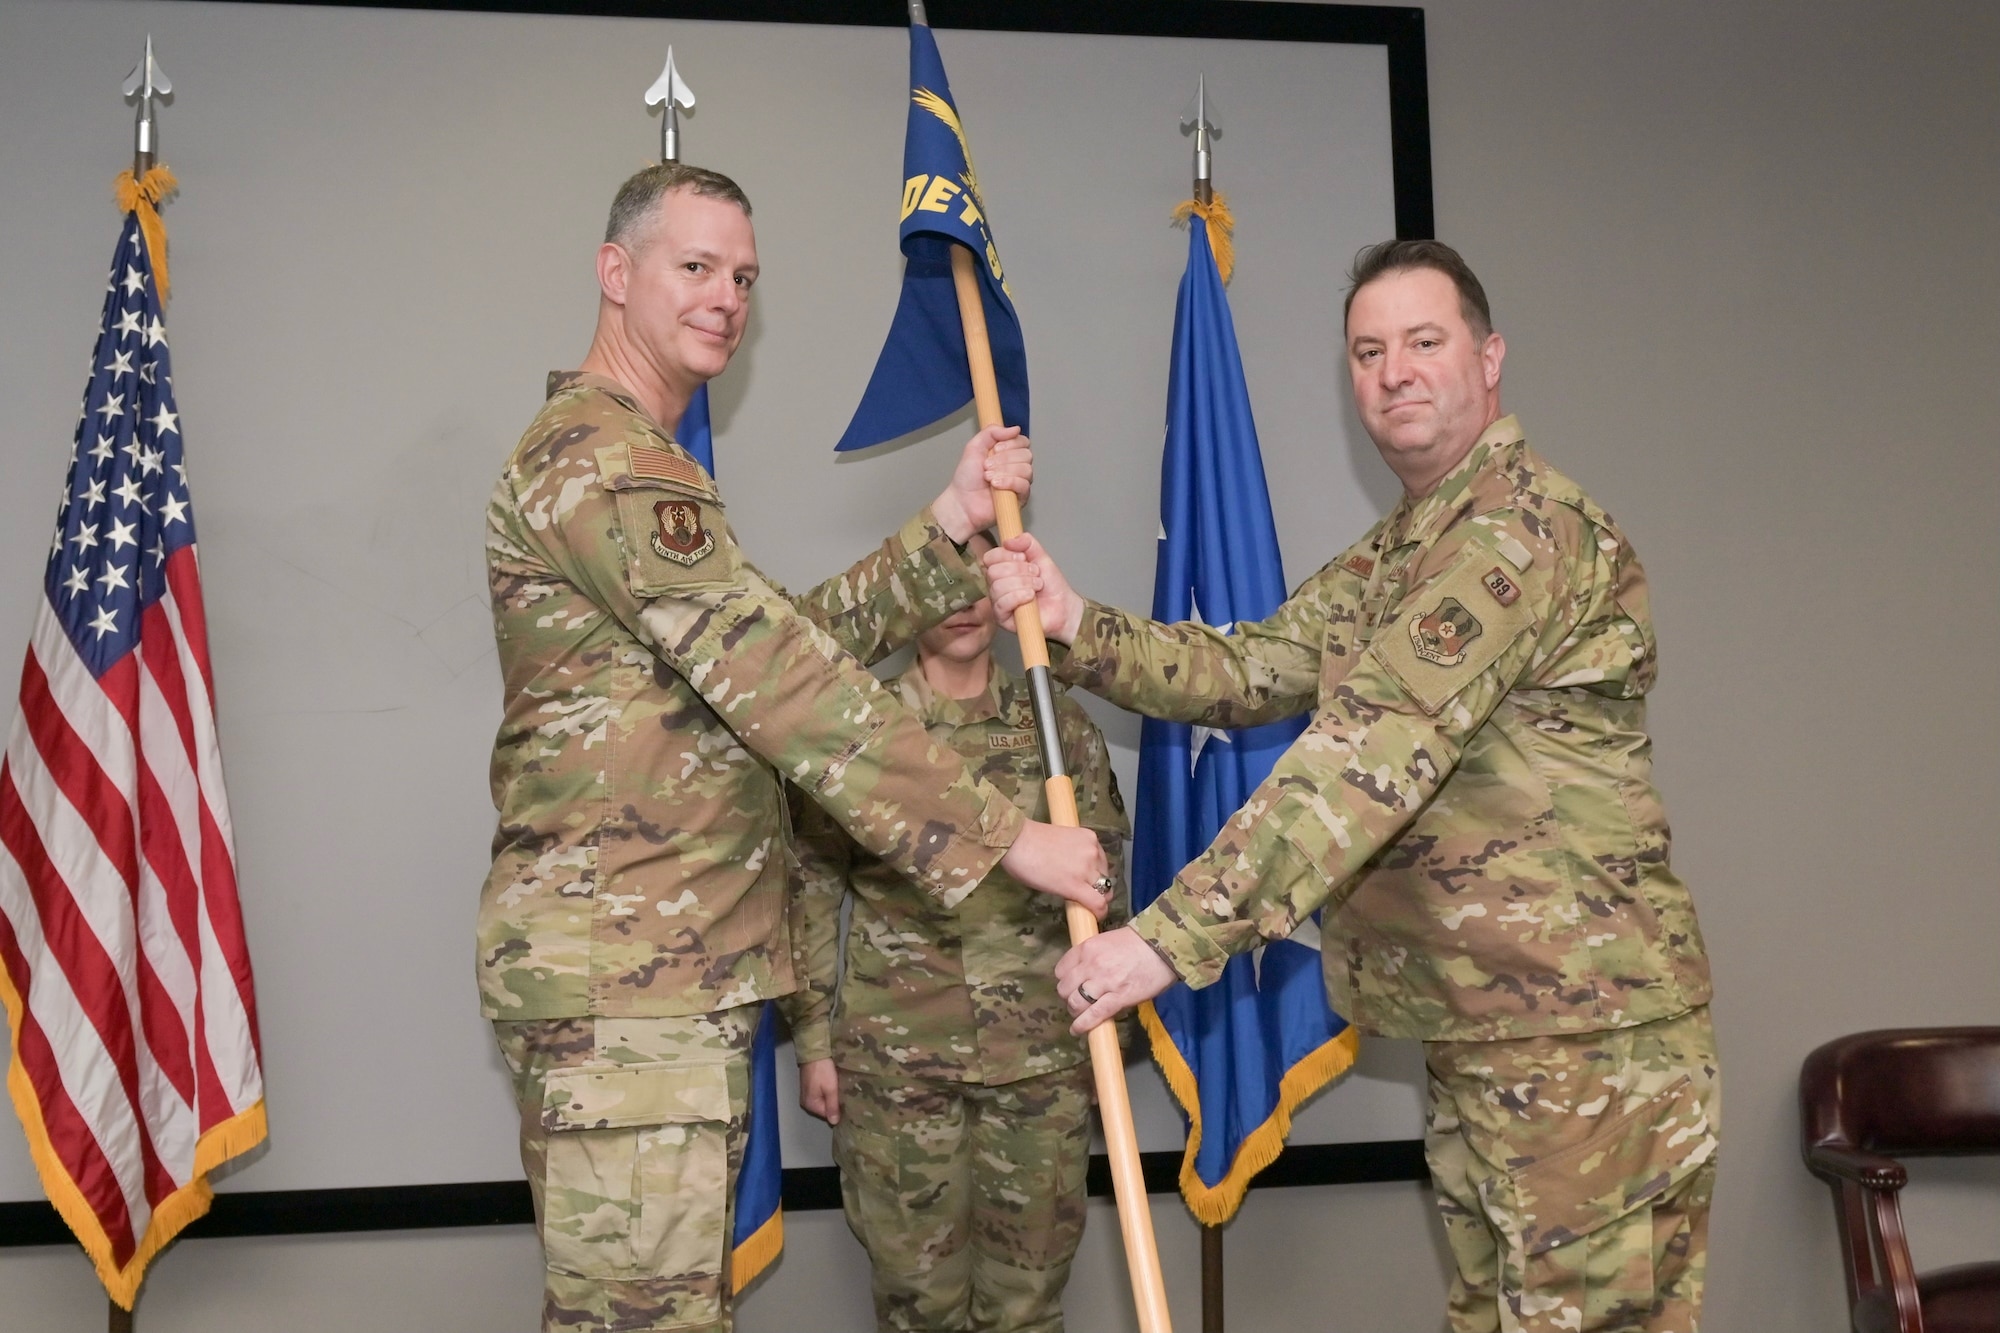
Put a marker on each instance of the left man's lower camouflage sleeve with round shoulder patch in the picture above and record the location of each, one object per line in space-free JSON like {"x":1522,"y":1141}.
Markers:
{"x":659,"y":557}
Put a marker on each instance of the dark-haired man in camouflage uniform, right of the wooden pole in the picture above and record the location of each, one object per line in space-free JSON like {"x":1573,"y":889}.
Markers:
{"x":1473,"y":812}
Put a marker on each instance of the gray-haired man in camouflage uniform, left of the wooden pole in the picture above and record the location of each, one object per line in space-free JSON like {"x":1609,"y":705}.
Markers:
{"x":659,"y":698}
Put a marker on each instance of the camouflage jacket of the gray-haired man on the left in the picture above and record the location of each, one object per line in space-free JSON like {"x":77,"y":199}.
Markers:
{"x":659,"y":694}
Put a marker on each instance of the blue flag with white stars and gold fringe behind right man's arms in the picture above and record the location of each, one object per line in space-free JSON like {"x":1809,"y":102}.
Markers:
{"x":1243,"y":1054}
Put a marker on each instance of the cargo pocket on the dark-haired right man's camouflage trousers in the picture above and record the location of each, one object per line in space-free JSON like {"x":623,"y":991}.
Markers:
{"x":1581,"y":1212}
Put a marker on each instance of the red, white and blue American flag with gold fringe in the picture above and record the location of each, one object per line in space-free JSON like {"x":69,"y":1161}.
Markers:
{"x":123,"y":960}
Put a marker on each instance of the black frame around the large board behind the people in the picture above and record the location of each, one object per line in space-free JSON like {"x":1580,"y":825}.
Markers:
{"x":1397,"y":29}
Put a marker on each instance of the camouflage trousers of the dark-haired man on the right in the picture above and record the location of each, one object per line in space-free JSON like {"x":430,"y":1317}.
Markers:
{"x":1575,"y":1176}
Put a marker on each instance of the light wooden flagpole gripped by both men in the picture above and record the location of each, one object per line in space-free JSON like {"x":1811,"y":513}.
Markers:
{"x":1115,"y":1106}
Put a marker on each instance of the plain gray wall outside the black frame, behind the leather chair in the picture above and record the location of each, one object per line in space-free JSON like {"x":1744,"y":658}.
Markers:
{"x":1743,"y":255}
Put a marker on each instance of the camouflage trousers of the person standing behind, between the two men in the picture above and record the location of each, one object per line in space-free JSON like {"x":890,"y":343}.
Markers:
{"x":969,"y":1198}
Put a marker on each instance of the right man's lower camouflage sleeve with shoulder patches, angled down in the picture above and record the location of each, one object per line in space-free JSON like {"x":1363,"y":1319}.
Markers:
{"x":1379,"y":748}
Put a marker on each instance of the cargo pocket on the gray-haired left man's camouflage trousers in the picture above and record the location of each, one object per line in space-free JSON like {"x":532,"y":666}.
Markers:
{"x":637,"y":1182}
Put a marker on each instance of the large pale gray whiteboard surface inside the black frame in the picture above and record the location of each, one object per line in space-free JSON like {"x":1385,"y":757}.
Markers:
{"x":383,"y":243}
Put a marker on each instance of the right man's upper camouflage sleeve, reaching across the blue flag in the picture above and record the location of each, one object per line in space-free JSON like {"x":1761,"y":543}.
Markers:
{"x":1197,"y":674}
